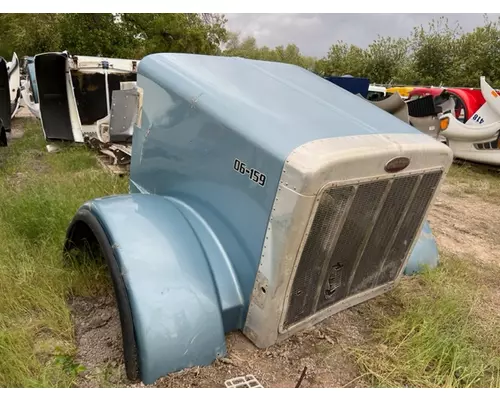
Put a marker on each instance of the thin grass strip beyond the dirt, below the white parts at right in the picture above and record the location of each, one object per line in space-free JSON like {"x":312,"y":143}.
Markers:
{"x":473,"y":179}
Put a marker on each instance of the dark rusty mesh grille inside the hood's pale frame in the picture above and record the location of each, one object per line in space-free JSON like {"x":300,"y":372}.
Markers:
{"x":358,"y":240}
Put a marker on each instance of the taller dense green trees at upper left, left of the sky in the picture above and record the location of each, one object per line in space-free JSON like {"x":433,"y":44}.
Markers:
{"x":111,"y":35}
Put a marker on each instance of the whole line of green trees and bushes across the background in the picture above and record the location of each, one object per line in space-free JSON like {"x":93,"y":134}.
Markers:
{"x":436,"y":54}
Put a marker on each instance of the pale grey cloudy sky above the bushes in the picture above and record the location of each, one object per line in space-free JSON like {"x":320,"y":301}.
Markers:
{"x":315,"y":33}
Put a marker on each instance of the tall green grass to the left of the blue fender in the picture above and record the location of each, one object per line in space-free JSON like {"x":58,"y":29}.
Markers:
{"x":39,"y":194}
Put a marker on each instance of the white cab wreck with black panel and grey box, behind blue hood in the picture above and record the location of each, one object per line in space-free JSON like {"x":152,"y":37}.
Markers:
{"x":78,"y":95}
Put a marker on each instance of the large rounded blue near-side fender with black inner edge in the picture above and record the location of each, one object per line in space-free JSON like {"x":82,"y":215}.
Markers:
{"x":170,"y":308}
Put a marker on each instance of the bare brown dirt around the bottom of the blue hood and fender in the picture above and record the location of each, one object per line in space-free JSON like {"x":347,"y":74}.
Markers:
{"x":321,"y":350}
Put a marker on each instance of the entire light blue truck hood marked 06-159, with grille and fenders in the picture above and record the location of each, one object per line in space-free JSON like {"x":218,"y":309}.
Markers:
{"x":263,"y":199}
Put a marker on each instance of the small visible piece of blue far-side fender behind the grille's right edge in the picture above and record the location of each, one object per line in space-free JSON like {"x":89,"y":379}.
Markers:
{"x":425,"y":252}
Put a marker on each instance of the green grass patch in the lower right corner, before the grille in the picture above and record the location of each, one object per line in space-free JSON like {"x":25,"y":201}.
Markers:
{"x":444,"y":332}
